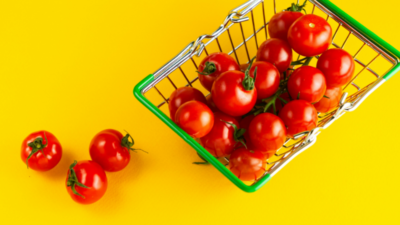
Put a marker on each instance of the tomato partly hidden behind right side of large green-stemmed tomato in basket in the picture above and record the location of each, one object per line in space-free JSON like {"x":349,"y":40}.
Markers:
{"x":267,"y":79}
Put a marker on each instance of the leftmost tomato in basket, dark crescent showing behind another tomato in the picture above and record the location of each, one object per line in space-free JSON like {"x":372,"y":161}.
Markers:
{"x":182,"y":95}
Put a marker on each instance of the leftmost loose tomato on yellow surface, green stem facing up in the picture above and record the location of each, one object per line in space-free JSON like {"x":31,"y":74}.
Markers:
{"x":41,"y":151}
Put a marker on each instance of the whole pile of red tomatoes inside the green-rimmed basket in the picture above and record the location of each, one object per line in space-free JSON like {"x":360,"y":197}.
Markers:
{"x":253,"y":108}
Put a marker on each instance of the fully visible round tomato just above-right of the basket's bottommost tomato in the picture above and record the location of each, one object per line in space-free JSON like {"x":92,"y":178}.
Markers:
{"x":267,"y":132}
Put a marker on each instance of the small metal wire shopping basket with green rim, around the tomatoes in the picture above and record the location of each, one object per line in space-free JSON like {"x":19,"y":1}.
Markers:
{"x":376,"y":61}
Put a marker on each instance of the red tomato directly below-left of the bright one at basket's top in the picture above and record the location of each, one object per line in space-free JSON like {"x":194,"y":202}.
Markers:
{"x":276,"y":52}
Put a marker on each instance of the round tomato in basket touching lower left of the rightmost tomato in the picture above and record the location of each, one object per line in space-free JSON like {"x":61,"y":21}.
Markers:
{"x":307,"y":83}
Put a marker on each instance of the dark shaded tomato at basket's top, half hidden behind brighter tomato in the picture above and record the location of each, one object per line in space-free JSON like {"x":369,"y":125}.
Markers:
{"x":280,"y":23}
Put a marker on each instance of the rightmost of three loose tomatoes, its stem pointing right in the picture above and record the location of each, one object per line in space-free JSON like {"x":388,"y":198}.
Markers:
{"x":111,"y":150}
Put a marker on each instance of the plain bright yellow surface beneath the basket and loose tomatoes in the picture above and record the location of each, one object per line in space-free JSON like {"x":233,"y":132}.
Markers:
{"x":70,"y":66}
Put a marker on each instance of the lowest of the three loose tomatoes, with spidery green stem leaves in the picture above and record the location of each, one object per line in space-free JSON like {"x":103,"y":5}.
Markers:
{"x":86,"y":182}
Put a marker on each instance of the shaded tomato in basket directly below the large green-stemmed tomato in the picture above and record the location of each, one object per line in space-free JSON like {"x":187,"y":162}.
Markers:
{"x":220,"y":140}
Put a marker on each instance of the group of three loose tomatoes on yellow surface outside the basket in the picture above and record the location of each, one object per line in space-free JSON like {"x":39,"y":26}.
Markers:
{"x":86,"y":180}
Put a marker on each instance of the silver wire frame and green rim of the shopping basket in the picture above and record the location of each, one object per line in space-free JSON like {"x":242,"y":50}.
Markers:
{"x":303,"y":140}
